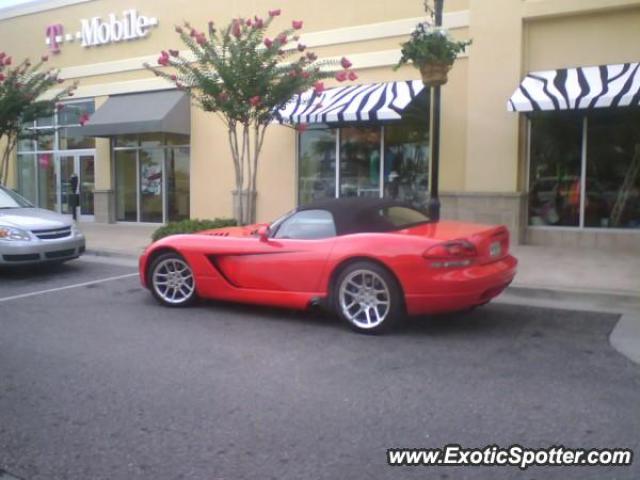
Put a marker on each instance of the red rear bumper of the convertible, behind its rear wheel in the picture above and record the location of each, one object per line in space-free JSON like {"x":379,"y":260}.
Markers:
{"x":460,"y":289}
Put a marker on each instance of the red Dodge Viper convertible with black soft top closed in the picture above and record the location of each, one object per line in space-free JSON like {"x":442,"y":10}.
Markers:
{"x":370,"y":260}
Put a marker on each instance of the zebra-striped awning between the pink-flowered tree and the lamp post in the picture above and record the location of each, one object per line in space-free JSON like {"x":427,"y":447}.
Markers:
{"x":351,"y":103}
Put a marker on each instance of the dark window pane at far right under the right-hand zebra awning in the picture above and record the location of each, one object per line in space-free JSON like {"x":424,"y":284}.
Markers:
{"x":613,"y":169}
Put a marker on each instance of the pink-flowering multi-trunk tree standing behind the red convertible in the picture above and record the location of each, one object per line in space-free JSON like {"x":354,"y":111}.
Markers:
{"x":245,"y":76}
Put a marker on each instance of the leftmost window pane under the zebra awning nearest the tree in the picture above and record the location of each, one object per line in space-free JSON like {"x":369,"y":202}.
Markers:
{"x":317,"y":171}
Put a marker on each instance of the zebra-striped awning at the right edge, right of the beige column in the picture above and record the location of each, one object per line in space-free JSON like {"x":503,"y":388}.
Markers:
{"x":578,"y":89}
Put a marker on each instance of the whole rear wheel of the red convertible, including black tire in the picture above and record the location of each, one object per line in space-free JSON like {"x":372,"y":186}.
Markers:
{"x":366,"y":301}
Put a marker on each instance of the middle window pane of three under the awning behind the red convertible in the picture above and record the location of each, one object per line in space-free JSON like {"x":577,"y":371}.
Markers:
{"x":360,"y":162}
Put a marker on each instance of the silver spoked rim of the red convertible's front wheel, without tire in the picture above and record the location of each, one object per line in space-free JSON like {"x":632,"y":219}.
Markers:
{"x":172,"y":280}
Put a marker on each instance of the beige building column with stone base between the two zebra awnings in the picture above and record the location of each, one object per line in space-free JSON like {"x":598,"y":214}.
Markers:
{"x":494,"y":69}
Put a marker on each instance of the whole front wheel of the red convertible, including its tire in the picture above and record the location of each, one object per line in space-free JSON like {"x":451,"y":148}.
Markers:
{"x":171,"y":280}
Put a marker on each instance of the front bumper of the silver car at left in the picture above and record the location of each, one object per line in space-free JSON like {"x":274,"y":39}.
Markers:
{"x":41,"y":251}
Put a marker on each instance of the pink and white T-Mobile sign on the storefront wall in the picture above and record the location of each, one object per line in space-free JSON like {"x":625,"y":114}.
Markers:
{"x":98,"y":31}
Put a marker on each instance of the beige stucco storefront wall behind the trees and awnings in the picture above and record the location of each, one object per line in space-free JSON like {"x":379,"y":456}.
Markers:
{"x":482,"y":147}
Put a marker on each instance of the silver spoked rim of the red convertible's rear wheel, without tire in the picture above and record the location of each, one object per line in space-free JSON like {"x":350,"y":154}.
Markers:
{"x":364,"y":299}
